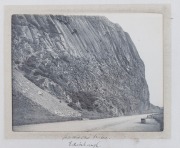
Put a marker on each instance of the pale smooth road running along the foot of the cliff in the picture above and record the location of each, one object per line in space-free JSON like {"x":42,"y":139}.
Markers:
{"x":124,"y":124}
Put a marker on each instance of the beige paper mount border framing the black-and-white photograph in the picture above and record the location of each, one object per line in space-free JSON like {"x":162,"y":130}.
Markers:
{"x":164,"y":9}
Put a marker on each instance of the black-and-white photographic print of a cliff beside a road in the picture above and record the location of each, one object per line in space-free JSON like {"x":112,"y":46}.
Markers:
{"x":96,"y":72}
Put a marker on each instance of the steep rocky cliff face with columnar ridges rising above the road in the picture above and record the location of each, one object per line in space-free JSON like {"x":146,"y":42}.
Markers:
{"x":86,"y":61}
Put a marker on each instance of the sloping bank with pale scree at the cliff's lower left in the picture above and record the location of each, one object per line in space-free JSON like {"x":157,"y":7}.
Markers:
{"x":33,"y":105}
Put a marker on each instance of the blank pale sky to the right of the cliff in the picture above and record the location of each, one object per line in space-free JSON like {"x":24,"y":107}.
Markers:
{"x":146,"y":31}
